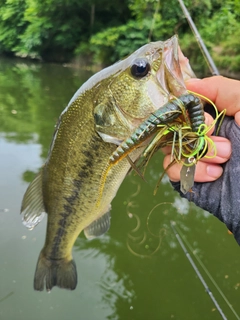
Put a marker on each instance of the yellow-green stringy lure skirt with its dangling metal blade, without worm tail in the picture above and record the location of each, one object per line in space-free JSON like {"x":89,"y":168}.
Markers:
{"x":192,"y":145}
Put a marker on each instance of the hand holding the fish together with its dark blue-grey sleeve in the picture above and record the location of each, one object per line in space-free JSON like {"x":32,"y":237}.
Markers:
{"x":219,"y":194}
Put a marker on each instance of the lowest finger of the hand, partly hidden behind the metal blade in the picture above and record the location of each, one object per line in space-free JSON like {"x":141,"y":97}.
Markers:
{"x":205,"y":172}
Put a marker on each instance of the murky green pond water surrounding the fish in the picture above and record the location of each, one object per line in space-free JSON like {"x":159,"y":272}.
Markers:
{"x":137,"y":270}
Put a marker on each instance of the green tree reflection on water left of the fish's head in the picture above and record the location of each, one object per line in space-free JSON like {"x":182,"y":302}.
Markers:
{"x":30,"y":93}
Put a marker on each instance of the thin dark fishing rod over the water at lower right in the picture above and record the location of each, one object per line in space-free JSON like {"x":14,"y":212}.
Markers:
{"x":209,"y":292}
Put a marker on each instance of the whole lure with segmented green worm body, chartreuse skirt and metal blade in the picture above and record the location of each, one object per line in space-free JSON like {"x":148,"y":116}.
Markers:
{"x":179,"y":123}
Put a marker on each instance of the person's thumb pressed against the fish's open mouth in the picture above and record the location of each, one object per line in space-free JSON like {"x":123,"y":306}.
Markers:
{"x":224,"y":92}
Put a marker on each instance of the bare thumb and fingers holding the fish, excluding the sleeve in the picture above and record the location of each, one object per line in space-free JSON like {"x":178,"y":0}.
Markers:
{"x":225,"y":93}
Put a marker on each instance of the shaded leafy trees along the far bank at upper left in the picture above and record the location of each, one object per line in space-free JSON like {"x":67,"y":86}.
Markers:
{"x":53,"y":29}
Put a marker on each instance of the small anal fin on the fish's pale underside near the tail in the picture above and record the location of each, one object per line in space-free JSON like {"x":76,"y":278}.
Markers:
{"x":98,"y":227}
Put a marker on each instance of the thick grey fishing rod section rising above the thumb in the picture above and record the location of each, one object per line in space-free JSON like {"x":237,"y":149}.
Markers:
{"x":200,"y":42}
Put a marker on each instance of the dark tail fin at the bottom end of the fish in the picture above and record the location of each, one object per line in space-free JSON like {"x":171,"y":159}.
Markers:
{"x":61,"y":273}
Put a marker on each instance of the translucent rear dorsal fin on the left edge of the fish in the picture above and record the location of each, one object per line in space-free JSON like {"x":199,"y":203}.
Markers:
{"x":32,"y":209}
